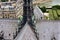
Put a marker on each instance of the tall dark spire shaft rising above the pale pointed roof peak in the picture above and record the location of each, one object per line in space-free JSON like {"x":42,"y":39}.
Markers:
{"x":27,"y":12}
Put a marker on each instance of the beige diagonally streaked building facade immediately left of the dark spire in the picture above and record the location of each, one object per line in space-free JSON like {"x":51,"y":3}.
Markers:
{"x":19,"y":8}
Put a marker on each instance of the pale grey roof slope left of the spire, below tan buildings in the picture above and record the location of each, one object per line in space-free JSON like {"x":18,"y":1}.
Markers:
{"x":9,"y":27}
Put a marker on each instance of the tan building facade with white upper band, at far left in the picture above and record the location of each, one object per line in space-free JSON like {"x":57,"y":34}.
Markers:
{"x":7,"y":9}
